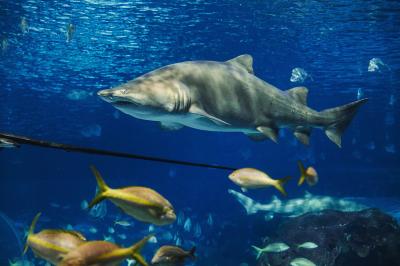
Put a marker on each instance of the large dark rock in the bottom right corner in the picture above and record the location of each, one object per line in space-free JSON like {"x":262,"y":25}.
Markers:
{"x":367,"y":237}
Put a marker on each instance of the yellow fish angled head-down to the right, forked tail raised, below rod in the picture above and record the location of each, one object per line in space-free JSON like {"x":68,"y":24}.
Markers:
{"x":142,"y":203}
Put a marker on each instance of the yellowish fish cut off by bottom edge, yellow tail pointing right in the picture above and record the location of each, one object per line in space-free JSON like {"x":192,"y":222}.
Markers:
{"x":103,"y":253}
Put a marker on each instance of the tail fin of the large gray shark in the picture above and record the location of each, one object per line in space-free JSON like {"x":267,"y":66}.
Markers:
{"x":339,"y":119}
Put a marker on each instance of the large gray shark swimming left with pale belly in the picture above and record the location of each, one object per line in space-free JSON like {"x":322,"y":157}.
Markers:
{"x":227,"y":97}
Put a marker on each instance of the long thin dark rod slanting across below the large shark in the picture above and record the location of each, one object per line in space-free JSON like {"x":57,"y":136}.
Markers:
{"x":71,"y":148}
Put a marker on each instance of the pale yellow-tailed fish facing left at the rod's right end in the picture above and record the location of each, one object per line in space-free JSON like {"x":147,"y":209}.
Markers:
{"x":250,"y":178}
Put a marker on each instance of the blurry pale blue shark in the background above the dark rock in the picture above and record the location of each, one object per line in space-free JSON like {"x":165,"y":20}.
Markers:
{"x":297,"y":206}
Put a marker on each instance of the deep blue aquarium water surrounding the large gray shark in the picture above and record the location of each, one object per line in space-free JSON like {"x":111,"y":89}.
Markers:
{"x":48,"y":91}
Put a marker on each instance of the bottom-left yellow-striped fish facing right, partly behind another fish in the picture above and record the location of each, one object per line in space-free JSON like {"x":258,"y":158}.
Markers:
{"x":52,"y":244}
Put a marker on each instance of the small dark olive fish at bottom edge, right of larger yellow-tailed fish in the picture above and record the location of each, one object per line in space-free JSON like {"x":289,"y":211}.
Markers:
{"x":172,"y":256}
